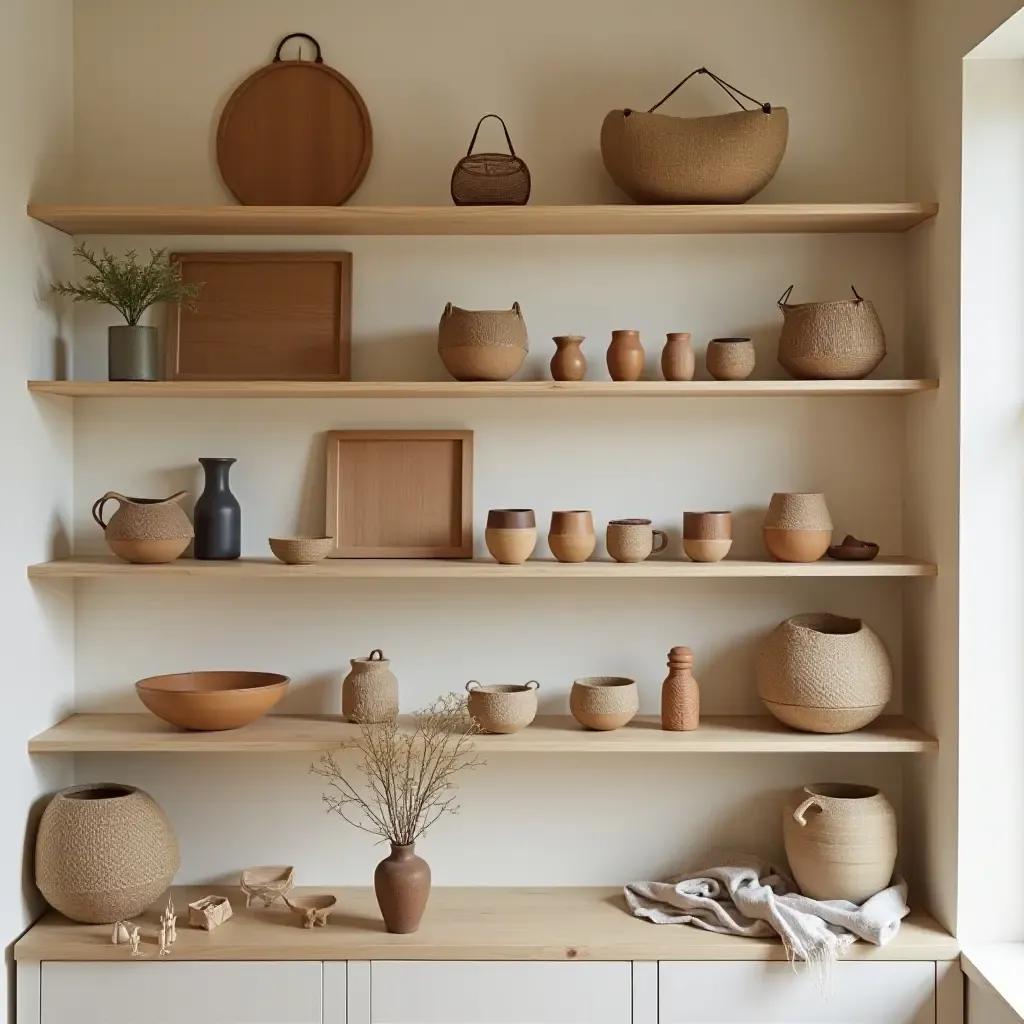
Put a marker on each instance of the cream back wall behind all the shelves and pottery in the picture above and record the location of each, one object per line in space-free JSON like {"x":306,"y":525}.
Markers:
{"x":428,"y":72}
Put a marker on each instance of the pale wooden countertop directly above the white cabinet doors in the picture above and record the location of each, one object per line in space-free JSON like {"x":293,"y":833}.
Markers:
{"x":471,"y":924}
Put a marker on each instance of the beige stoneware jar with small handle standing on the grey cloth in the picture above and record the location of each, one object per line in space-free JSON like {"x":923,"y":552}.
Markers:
{"x":840,"y":840}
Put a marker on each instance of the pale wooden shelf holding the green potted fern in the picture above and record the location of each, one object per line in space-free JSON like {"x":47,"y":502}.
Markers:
{"x":455,"y":390}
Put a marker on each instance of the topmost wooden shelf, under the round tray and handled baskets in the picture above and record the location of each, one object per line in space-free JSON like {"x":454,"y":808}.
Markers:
{"x":617,"y":220}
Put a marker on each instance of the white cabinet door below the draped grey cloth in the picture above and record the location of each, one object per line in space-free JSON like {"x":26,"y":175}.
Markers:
{"x":773,"y":994}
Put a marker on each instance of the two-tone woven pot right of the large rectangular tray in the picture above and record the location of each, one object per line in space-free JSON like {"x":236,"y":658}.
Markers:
{"x":483,"y":345}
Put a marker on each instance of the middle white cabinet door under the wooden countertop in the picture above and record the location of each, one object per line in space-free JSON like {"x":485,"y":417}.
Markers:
{"x":493,"y":993}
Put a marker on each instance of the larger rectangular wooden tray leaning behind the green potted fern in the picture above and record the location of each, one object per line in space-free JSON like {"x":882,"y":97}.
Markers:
{"x":264,"y":317}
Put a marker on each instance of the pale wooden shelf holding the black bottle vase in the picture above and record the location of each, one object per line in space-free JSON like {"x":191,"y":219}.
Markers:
{"x":100,"y":568}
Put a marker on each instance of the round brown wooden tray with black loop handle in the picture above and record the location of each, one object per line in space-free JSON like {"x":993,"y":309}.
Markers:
{"x":294,"y":134}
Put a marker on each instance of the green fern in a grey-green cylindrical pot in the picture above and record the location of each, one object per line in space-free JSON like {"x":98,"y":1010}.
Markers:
{"x":131,"y":287}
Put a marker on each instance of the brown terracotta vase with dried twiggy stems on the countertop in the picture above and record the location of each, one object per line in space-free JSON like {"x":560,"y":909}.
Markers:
{"x":409,"y":774}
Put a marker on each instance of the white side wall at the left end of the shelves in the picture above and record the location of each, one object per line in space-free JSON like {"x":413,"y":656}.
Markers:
{"x":37,"y":623}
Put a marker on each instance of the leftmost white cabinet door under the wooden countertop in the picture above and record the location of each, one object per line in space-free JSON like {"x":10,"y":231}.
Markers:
{"x":154,"y":993}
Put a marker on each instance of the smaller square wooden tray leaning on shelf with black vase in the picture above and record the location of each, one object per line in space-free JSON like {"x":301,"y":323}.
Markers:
{"x":401,"y":494}
